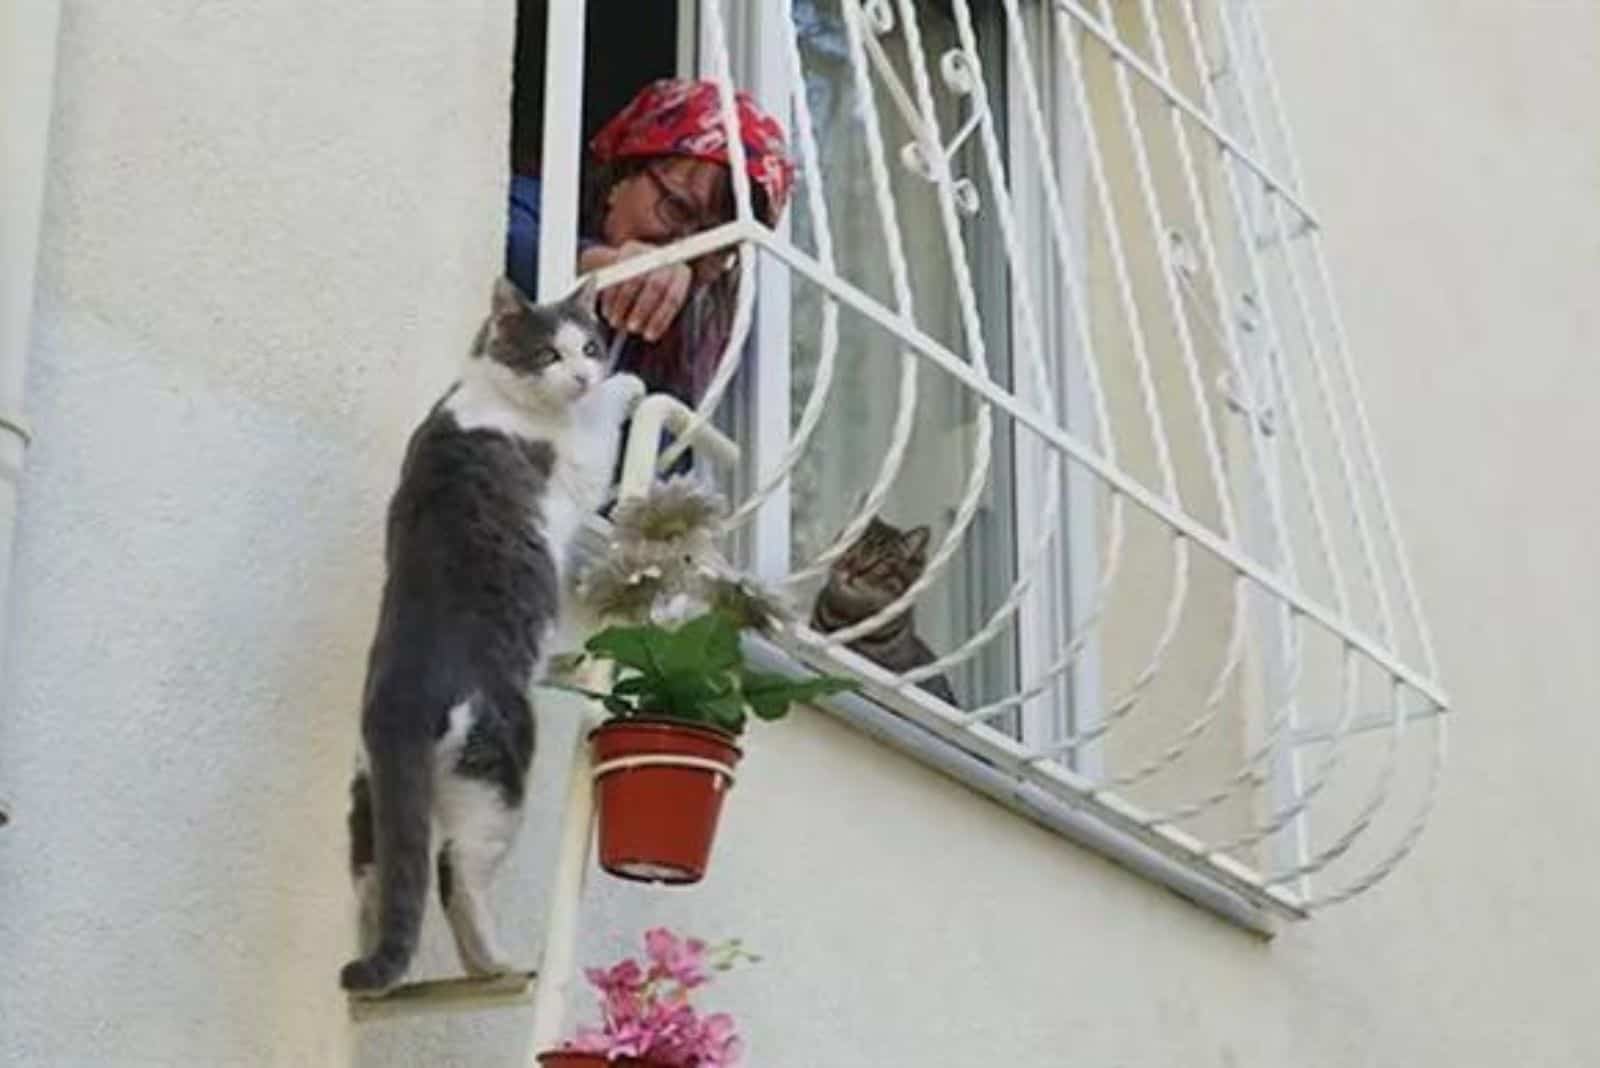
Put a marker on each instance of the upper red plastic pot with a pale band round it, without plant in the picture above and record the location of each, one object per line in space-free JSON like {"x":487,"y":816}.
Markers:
{"x":660,"y":787}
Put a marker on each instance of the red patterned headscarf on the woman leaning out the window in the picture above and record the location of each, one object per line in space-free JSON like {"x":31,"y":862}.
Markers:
{"x":682,"y":118}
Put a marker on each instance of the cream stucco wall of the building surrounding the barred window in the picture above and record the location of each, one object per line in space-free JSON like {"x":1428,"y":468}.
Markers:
{"x":268,"y":237}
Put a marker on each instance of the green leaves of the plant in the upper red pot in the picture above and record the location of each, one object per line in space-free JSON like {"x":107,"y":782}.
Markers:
{"x":697,"y":674}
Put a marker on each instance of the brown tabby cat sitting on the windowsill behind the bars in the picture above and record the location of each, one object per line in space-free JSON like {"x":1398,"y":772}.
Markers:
{"x":876,"y":570}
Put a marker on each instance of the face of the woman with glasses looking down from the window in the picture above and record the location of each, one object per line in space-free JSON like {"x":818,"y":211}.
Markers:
{"x":671,"y":199}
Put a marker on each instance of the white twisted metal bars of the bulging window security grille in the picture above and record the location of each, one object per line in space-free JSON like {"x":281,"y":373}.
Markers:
{"x":1271,"y":575}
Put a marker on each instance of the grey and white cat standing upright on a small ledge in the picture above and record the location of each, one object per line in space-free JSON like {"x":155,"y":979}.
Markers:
{"x":495,"y":485}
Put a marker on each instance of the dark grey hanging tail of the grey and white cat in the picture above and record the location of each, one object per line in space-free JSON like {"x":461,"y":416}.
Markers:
{"x":402,"y":794}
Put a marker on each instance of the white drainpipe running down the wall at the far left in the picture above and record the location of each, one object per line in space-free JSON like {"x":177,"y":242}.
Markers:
{"x":28,"y":79}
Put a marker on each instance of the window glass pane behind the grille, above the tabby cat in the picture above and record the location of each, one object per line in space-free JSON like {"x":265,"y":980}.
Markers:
{"x":857,"y":428}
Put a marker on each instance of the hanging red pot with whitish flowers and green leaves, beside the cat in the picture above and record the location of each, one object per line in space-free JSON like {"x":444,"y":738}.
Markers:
{"x":679,"y":690}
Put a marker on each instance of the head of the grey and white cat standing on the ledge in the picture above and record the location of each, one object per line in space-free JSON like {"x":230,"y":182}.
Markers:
{"x":543,"y":354}
